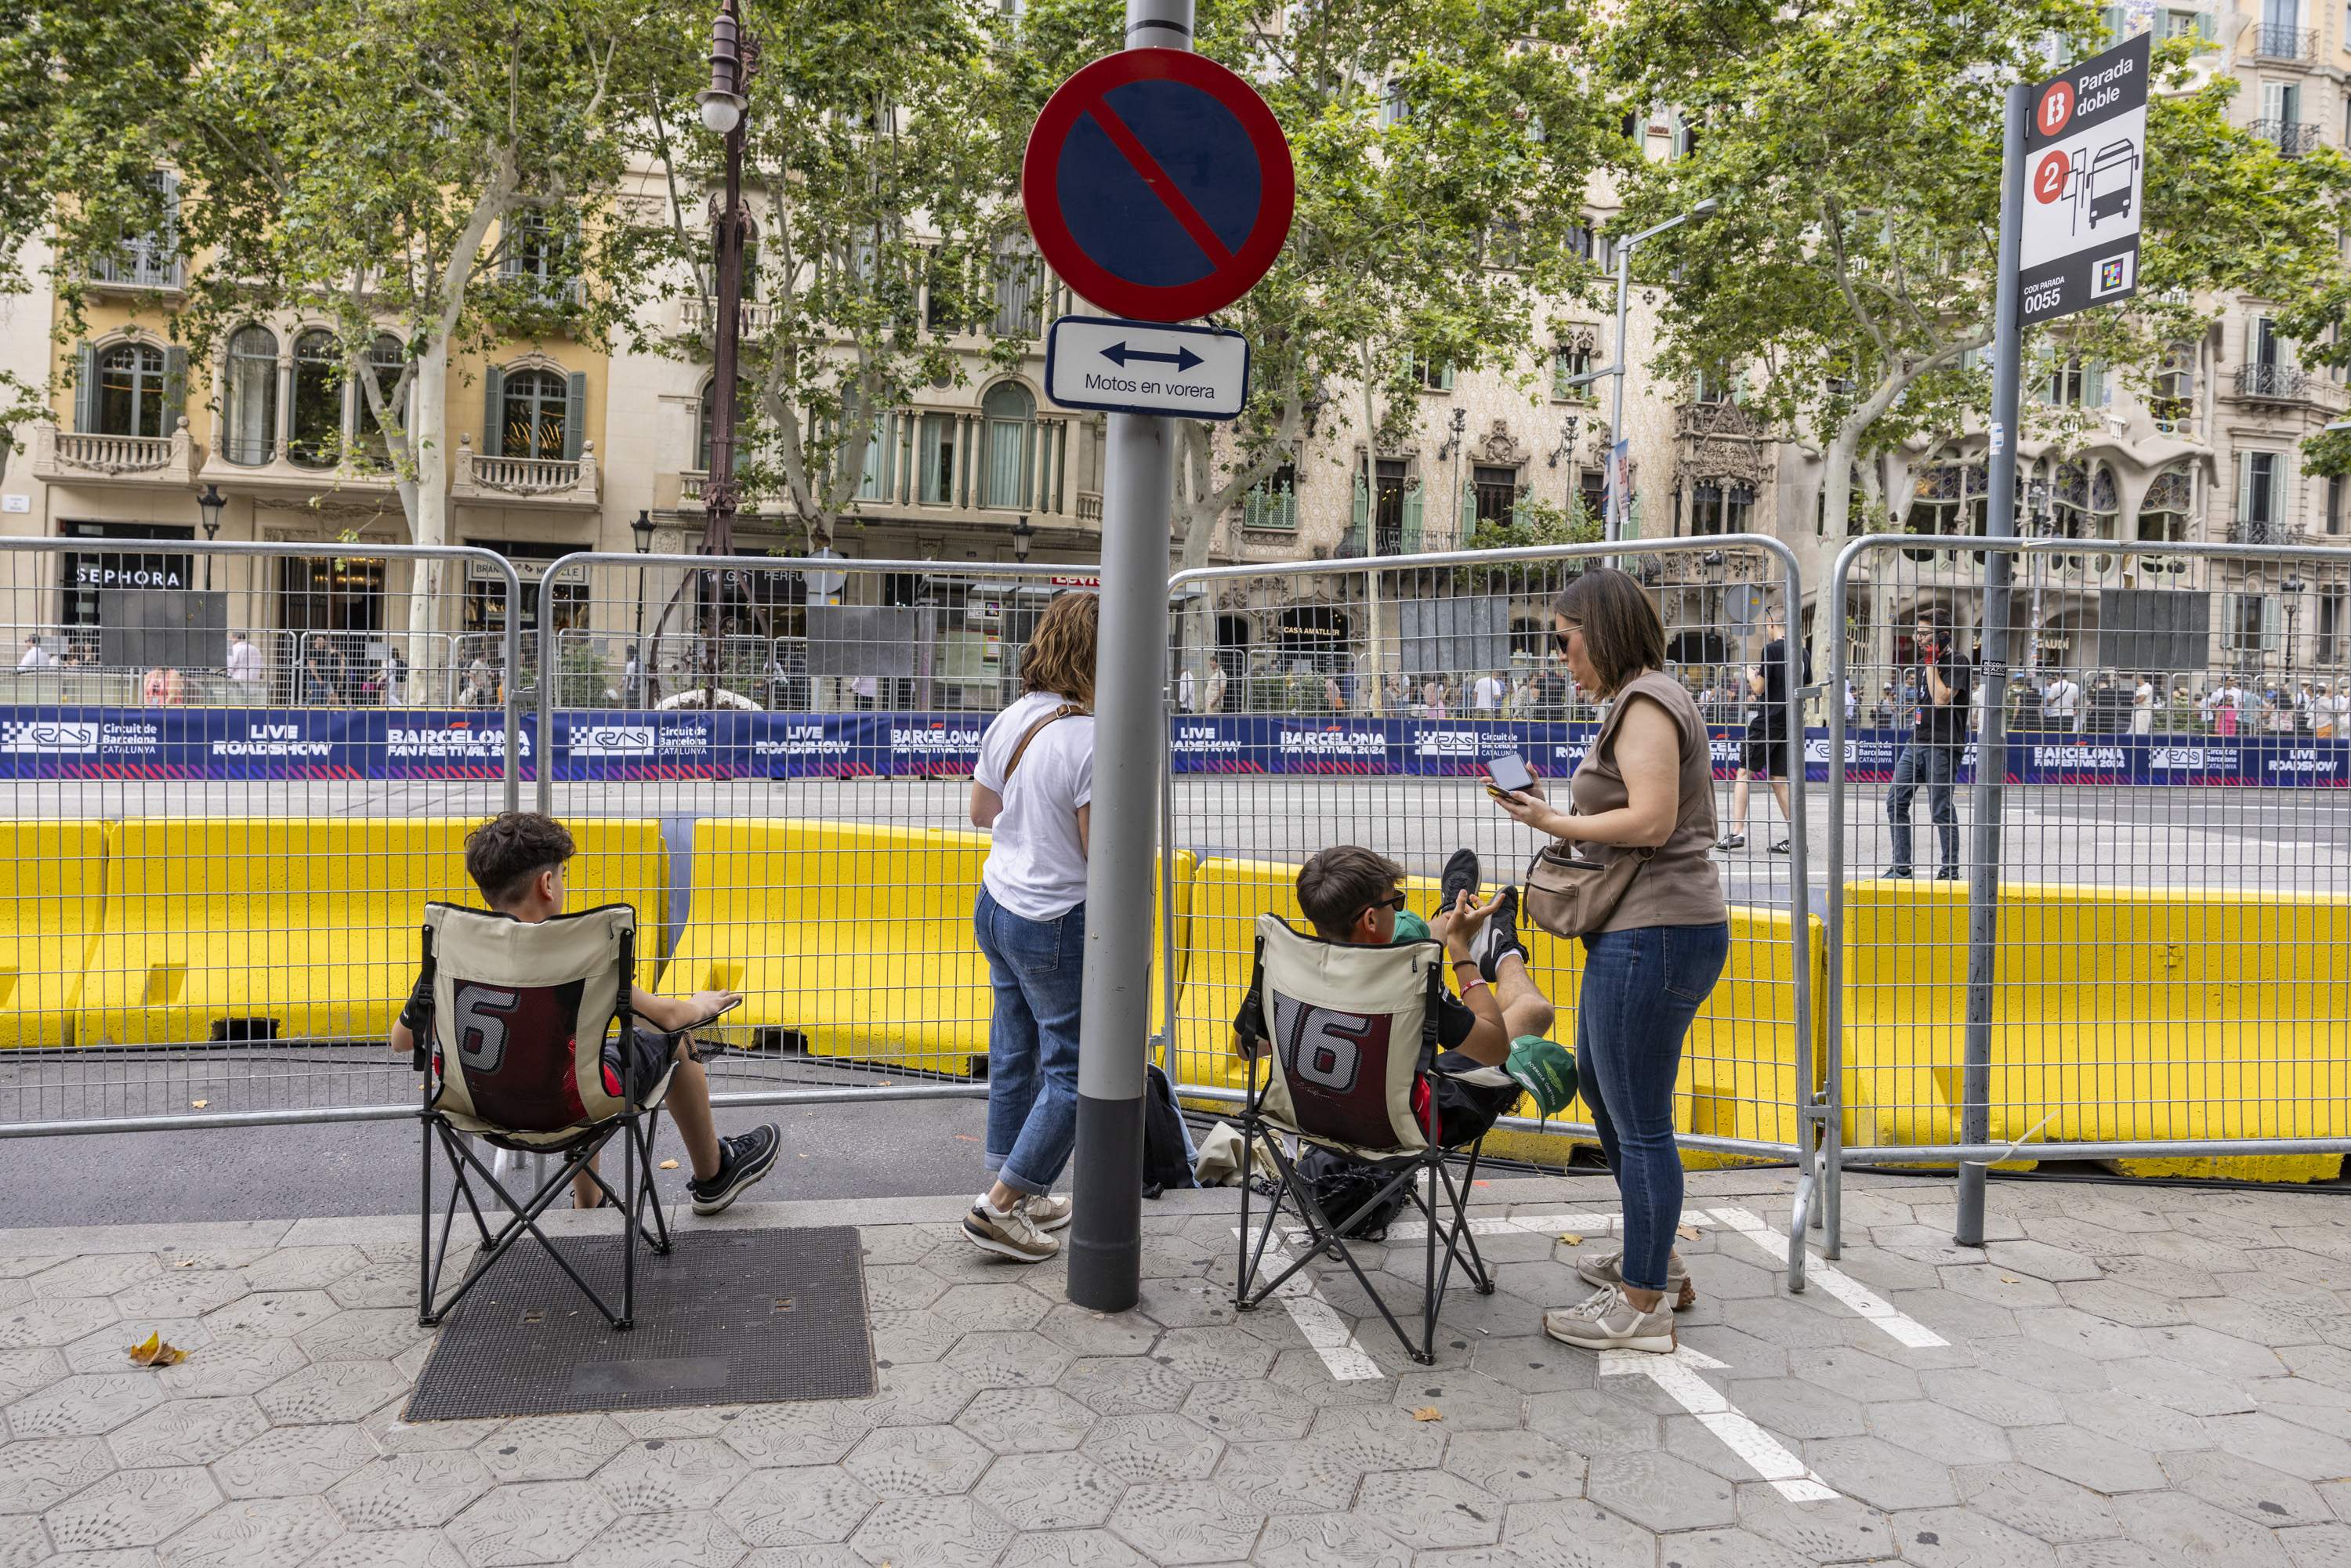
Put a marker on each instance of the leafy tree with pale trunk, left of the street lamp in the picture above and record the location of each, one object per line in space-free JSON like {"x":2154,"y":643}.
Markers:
{"x":434,"y":170}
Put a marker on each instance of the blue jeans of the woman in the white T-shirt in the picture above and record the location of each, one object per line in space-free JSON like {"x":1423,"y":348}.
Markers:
{"x":1036,"y":970}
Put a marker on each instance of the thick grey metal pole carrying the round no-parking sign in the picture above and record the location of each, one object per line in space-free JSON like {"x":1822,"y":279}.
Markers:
{"x":1139,"y":488}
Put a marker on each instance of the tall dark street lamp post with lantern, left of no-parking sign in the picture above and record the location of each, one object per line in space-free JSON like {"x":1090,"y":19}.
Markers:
{"x":735,"y":60}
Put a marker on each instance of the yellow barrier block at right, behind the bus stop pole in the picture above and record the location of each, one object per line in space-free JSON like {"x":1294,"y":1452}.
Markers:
{"x":2119,"y":1014}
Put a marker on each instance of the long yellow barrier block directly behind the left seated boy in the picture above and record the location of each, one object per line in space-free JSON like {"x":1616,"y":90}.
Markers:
{"x":304,"y":927}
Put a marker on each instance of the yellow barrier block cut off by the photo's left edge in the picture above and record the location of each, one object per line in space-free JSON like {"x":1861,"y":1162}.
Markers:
{"x":53,"y":894}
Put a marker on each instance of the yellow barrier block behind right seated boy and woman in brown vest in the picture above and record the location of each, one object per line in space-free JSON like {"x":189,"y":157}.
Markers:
{"x":1739,"y":1064}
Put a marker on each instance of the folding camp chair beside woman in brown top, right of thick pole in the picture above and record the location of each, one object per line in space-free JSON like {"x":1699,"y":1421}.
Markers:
{"x":1355,"y":1047}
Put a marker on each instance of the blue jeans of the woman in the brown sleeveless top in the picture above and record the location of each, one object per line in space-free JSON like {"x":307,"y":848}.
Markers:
{"x":1642,"y":991}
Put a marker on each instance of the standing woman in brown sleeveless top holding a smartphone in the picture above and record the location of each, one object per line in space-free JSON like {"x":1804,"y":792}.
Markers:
{"x":1645,"y":789}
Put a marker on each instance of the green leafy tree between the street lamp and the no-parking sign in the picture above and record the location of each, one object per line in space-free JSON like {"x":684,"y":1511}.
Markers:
{"x":876,"y":173}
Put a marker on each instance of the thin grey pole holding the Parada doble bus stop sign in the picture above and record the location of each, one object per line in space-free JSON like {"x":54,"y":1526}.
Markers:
{"x":1992,"y":746}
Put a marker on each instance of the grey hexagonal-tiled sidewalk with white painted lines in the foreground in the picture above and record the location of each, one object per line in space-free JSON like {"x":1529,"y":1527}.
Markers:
{"x":2126,"y":1379}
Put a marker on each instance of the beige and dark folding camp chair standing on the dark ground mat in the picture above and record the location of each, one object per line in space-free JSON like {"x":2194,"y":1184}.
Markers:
{"x":516,"y":1054}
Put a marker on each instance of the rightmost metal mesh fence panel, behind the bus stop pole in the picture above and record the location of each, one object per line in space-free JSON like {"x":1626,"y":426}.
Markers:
{"x":2159,"y":974}
